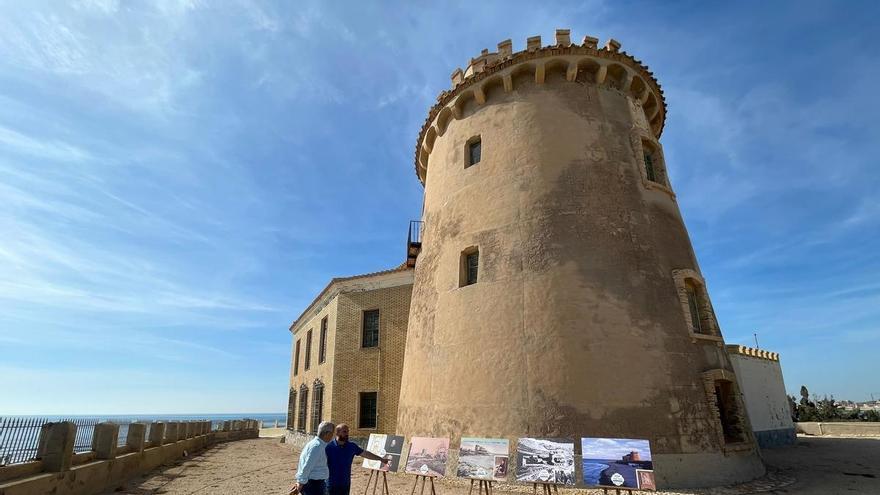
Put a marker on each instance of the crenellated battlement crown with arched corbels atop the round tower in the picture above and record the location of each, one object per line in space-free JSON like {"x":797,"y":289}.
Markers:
{"x":607,"y":67}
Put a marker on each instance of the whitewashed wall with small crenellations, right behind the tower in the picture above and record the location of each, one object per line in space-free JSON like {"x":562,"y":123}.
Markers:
{"x":759,"y":375}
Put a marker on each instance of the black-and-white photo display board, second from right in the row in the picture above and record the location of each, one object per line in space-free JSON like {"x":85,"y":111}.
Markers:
{"x":545,"y":460}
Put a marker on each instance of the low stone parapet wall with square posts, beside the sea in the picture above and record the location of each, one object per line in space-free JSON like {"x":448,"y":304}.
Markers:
{"x":107,"y":466}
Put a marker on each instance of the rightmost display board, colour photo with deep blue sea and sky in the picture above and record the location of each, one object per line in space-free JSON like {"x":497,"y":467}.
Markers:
{"x":618,"y":463}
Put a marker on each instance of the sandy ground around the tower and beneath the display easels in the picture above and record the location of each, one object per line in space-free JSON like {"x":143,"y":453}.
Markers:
{"x":826,"y":466}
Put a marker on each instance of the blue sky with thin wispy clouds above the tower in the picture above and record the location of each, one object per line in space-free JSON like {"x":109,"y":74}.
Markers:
{"x":178,"y":179}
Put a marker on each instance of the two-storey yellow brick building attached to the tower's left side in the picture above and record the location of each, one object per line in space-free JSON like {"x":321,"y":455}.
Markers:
{"x":347,"y":353}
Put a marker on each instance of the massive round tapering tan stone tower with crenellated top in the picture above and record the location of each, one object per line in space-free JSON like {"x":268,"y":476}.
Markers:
{"x":557,"y":293}
